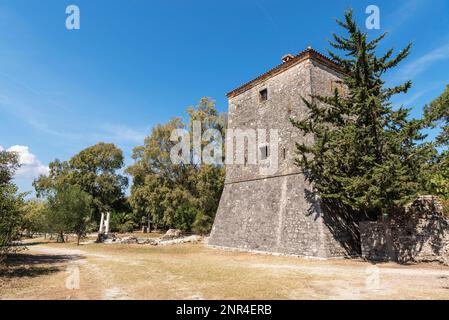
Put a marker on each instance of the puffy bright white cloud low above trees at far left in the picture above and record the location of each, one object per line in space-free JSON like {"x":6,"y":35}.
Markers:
{"x":31,"y":166}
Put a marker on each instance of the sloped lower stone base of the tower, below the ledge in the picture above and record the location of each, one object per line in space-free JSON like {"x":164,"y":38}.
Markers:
{"x":278,"y":215}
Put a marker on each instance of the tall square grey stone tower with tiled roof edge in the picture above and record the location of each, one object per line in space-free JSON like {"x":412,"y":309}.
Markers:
{"x":278,"y":212}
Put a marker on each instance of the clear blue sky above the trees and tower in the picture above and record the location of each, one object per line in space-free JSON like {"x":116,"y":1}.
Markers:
{"x":135,"y":63}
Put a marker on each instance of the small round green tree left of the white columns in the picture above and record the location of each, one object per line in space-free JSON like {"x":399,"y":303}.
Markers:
{"x":69,"y":209}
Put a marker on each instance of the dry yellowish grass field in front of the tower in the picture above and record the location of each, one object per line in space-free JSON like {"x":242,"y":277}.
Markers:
{"x":47,"y":271}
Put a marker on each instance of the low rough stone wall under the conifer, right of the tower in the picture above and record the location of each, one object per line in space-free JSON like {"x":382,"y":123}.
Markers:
{"x":418,"y":234}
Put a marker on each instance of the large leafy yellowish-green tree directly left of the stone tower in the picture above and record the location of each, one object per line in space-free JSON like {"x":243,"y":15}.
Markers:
{"x":173,"y":196}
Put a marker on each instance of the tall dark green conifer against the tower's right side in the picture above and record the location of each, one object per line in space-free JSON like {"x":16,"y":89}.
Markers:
{"x":365,"y":153}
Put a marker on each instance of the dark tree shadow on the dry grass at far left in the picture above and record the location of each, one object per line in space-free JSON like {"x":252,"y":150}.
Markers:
{"x":26,"y":265}
